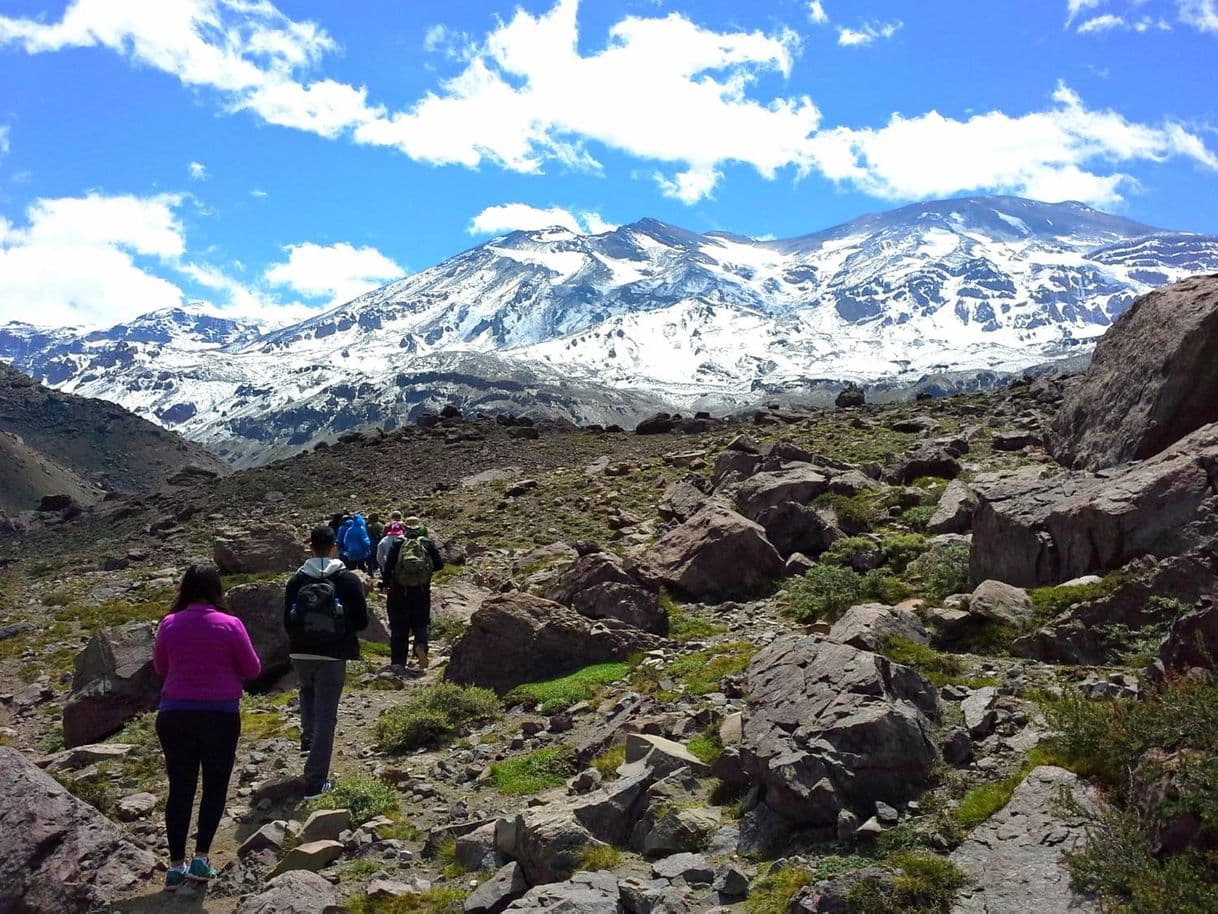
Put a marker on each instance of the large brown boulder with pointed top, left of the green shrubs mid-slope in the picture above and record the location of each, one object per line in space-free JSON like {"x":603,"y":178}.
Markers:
{"x":714,"y":555}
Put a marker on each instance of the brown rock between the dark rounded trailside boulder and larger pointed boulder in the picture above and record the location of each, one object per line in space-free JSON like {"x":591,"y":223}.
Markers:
{"x":599,"y":587}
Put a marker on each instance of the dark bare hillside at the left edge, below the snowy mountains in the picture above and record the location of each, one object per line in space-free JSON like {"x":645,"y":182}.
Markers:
{"x":60,"y":444}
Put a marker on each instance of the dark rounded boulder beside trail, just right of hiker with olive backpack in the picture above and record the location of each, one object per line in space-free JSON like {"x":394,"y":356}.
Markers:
{"x":518,"y":638}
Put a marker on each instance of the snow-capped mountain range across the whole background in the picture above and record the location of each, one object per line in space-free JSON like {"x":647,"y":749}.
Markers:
{"x":602,"y":328}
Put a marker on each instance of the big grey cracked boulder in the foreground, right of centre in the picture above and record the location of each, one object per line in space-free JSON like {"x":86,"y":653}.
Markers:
{"x":831,"y":728}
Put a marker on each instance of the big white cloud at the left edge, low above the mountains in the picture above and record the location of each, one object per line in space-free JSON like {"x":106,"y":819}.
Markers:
{"x":79,"y":260}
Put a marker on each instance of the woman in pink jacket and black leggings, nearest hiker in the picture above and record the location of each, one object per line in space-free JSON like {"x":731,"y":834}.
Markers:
{"x":205,"y":656}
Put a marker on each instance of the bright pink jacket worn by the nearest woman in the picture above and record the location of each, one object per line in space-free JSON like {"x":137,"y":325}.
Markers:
{"x":204,"y":655}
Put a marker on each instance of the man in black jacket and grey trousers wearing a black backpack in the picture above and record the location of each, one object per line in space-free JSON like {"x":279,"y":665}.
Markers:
{"x":325,"y":609}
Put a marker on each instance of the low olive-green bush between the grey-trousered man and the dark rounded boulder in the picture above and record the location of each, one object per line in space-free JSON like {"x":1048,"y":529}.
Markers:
{"x":434,"y":715}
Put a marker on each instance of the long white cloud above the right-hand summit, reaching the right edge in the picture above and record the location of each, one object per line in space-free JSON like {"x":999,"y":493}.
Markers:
{"x":1044,"y":154}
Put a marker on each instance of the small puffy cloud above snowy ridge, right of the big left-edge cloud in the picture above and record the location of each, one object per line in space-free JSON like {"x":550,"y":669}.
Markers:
{"x":339,"y":272}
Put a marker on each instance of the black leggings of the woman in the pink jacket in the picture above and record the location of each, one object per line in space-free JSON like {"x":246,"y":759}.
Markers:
{"x":194,"y":742}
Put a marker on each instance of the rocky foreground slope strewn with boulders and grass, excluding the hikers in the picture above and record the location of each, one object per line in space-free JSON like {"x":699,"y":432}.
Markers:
{"x":870,"y":660}
